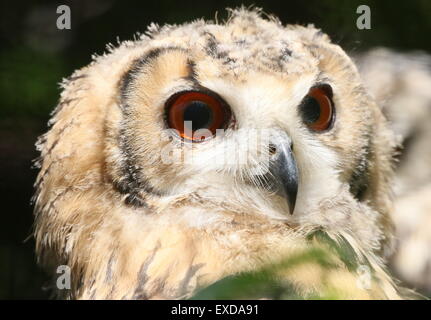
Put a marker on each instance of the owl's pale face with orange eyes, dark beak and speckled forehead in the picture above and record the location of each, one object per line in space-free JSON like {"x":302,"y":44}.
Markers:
{"x":256,"y":114}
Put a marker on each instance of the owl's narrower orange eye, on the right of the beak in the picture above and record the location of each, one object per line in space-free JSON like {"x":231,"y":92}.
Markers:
{"x":317,"y":108}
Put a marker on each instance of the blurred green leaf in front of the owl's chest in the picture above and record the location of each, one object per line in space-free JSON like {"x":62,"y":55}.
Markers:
{"x":266,"y":282}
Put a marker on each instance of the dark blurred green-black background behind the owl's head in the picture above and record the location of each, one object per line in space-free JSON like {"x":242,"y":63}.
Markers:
{"x":35,"y":56}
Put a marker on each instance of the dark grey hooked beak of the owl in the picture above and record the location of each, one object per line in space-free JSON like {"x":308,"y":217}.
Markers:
{"x":284,"y":173}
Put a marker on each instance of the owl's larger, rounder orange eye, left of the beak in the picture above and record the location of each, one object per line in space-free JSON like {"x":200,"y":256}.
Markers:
{"x":196,"y":115}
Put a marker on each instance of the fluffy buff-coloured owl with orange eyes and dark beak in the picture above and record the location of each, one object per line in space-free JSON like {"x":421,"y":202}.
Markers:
{"x":208,"y":149}
